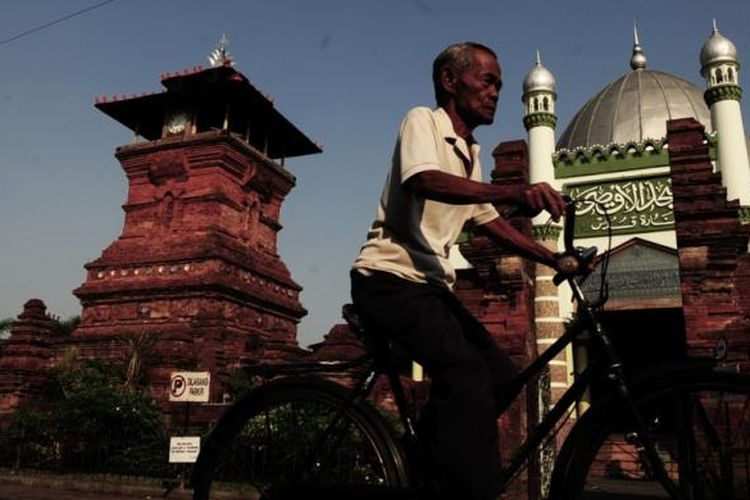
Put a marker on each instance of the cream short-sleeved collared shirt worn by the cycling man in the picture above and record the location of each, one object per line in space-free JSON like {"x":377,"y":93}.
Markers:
{"x":412,"y":236}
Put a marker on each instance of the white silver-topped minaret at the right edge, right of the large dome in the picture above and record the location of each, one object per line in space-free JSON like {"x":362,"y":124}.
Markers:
{"x":720,"y":67}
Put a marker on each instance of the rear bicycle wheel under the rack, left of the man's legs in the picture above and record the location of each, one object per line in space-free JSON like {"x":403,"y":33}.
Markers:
{"x":297,"y":438}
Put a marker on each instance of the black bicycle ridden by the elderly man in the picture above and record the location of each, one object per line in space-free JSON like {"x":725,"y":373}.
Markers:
{"x":684,"y":427}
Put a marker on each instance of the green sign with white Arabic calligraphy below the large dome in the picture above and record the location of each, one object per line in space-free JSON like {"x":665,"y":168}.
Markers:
{"x":627,"y":206}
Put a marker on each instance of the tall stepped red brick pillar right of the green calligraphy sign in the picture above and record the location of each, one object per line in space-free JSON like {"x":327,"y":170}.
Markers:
{"x":712,"y":246}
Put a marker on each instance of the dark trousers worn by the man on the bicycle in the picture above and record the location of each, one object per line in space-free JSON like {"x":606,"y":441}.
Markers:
{"x":458,"y":425}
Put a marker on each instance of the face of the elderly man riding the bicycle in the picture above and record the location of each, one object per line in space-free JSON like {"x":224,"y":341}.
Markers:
{"x":477,"y":90}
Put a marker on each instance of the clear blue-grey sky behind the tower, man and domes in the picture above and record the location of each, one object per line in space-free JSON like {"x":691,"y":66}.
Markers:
{"x":343,"y":71}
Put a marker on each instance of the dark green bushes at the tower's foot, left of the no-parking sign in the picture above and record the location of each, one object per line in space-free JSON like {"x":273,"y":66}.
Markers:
{"x":91,"y":422}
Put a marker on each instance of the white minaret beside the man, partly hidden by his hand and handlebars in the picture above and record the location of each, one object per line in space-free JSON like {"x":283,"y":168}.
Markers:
{"x":539,"y":119}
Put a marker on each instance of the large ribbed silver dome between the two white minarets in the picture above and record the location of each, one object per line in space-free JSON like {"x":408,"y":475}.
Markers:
{"x":633,"y":108}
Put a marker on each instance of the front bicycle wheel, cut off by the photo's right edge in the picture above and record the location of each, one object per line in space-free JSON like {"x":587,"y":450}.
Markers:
{"x":700,"y":425}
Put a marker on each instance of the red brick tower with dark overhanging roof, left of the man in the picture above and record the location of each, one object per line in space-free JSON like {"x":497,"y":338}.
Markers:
{"x":196,"y":266}
